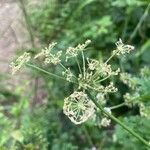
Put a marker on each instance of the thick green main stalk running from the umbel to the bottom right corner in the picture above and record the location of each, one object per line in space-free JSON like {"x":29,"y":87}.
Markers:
{"x":119,"y":122}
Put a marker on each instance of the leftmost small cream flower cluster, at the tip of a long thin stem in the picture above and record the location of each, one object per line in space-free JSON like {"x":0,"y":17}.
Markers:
{"x":21,"y":60}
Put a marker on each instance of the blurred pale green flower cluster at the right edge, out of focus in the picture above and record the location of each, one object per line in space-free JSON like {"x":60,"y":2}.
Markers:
{"x":140,"y":86}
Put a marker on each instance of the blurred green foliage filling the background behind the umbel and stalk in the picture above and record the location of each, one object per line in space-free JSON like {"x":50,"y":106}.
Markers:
{"x":31,"y":123}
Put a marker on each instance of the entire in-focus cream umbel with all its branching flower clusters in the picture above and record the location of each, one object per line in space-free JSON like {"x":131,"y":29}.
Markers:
{"x":78,"y":106}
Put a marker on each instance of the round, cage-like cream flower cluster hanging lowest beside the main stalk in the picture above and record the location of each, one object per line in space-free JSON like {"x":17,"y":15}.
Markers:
{"x":78,"y":107}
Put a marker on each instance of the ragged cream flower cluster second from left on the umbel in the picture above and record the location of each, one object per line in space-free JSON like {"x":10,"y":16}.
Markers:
{"x":49,"y":57}
